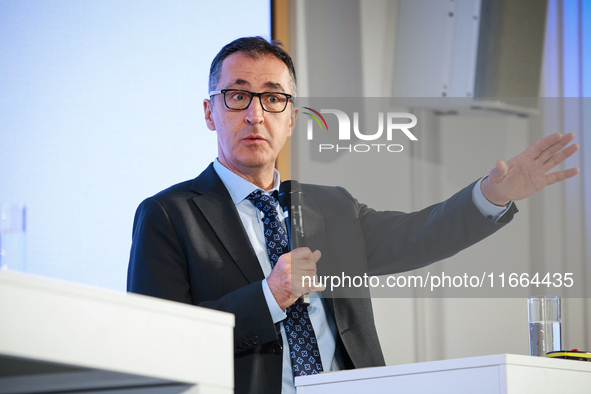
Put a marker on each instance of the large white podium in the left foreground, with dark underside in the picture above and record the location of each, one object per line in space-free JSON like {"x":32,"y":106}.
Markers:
{"x":62,"y":337}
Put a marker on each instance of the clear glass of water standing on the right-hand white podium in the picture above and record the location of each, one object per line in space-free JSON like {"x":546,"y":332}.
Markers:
{"x":544,"y":325}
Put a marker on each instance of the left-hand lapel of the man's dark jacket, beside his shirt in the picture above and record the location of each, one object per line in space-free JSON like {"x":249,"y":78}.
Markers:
{"x":216,"y":205}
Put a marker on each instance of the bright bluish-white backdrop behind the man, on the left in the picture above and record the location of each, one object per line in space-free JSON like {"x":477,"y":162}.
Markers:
{"x":101,"y":106}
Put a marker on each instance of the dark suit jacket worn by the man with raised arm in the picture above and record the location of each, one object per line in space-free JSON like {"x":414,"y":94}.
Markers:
{"x":189,"y":245}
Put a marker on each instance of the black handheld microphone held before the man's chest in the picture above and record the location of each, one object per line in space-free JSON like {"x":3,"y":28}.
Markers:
{"x":291,"y":201}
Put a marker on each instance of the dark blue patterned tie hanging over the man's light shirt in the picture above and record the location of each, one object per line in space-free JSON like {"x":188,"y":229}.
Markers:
{"x":305,"y":357}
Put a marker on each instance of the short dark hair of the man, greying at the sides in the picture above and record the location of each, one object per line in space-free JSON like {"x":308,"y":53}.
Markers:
{"x":255,"y":47}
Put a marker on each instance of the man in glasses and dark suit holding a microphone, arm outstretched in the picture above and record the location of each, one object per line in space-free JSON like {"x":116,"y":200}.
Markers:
{"x":202,"y":241}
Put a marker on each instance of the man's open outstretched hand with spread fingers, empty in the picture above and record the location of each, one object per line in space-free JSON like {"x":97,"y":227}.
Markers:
{"x":527,"y":173}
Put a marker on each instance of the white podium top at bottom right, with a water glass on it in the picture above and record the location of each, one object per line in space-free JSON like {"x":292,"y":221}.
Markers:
{"x":498,"y":374}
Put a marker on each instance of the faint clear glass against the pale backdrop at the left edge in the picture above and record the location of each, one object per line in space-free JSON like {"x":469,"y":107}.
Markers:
{"x":12,"y":236}
